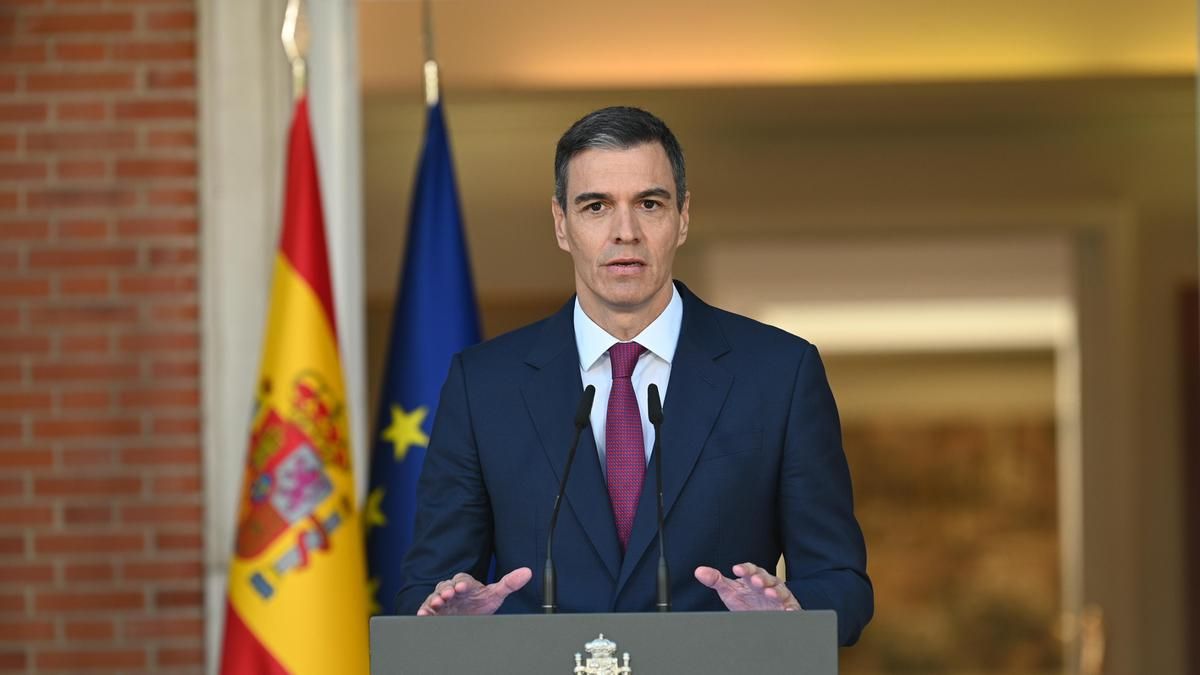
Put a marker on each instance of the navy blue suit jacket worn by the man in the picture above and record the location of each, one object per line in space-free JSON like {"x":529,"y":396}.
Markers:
{"x":753,"y":468}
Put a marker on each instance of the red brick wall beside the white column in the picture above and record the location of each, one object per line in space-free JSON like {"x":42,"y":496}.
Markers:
{"x":100,"y":461}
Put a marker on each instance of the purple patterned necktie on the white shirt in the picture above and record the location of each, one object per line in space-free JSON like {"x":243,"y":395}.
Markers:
{"x":625,"y":449}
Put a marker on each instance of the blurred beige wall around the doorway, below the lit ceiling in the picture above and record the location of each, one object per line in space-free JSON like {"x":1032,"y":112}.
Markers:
{"x":1107,"y":160}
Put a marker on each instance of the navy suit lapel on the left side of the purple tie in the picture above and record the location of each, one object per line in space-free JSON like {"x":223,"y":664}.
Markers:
{"x":551,"y":397}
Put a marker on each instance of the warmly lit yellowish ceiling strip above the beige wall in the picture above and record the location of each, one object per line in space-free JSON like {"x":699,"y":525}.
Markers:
{"x":519,"y":45}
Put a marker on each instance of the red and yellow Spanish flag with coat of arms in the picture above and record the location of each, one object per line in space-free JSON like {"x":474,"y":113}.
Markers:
{"x":298,"y":595}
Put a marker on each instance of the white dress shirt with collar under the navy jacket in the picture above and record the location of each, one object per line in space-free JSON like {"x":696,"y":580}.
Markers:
{"x":661,"y":339}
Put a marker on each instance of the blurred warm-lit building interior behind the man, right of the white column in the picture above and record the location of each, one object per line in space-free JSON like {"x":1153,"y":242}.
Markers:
{"x":985,"y":214}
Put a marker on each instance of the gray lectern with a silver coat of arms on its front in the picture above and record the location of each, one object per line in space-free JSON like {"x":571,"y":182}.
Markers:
{"x":796,"y":643}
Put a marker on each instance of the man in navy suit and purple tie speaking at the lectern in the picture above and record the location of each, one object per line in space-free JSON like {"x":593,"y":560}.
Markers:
{"x":753,"y":465}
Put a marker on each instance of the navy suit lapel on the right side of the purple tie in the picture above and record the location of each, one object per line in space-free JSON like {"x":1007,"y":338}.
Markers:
{"x":695,"y":397}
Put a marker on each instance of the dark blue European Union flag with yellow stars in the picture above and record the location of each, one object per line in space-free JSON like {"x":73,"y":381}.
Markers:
{"x":435,"y":319}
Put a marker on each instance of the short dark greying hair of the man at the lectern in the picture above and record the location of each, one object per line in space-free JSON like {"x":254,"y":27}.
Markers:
{"x":617,"y":128}
